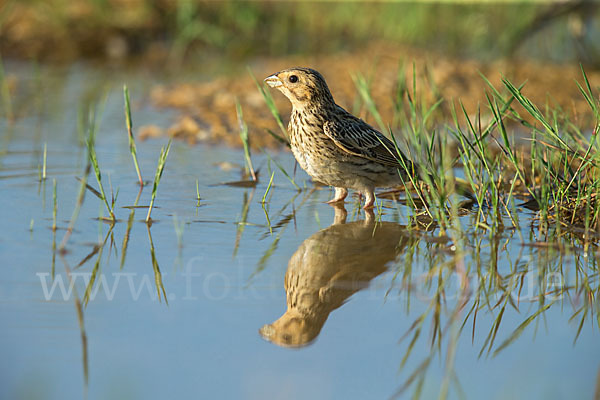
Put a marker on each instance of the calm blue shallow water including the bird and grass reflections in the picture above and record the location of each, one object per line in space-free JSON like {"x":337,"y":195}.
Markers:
{"x":357,"y":290}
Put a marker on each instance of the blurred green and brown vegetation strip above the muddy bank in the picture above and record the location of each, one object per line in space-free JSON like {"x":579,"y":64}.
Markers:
{"x":177,"y":30}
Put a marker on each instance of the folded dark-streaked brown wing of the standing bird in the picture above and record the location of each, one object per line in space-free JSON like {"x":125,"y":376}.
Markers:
{"x":356,"y":137}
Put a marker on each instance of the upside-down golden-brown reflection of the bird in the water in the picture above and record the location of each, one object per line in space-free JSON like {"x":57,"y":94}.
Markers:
{"x":328,"y":268}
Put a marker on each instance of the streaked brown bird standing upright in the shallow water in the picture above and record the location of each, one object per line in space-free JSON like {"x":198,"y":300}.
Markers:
{"x":333,"y":146}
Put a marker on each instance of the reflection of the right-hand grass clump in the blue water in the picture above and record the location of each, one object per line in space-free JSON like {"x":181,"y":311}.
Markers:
{"x":485,"y":286}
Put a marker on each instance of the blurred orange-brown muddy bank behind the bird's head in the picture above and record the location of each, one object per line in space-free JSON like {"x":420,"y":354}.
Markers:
{"x":208,"y":111}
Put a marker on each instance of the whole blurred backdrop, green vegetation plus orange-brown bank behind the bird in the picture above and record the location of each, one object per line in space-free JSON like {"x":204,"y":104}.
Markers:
{"x":197,"y":53}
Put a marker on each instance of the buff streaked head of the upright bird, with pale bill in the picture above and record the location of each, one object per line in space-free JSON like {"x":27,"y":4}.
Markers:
{"x":303,"y":86}
